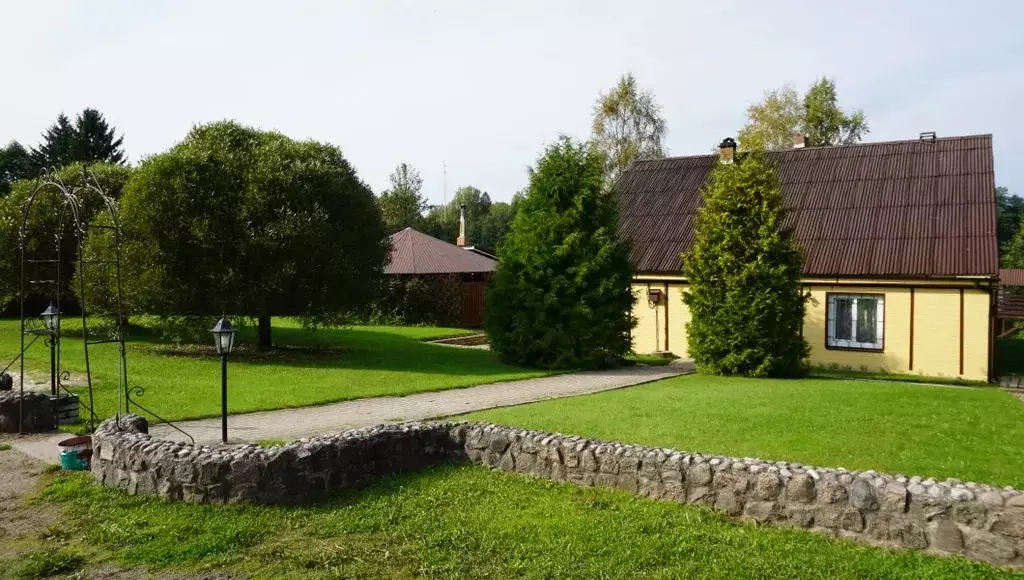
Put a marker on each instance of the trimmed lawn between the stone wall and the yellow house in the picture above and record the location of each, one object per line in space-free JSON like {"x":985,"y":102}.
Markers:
{"x":970,"y":434}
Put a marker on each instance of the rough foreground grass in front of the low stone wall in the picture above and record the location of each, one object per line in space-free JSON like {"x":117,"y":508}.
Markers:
{"x":467,"y":522}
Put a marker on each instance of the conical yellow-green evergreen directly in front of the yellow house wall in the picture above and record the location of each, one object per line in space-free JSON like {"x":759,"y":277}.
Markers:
{"x":745,"y":268}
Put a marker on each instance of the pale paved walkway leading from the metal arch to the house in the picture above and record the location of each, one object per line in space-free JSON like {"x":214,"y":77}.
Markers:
{"x":309,"y":422}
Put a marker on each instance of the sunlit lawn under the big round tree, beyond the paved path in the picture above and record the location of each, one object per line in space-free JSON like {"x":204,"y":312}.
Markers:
{"x":312,"y":367}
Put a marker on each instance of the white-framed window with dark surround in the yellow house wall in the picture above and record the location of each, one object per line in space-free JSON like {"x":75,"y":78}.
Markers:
{"x":857,"y":321}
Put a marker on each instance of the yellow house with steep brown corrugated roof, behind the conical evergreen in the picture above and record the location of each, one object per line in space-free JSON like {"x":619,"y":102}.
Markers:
{"x":902,"y":259}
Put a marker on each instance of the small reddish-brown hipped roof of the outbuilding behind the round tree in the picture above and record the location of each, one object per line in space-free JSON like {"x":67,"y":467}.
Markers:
{"x":415,"y":253}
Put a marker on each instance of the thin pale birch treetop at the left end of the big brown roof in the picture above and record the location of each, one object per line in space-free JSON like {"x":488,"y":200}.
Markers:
{"x":628,"y":126}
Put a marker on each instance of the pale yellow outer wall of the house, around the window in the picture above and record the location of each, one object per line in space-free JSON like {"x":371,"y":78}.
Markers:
{"x":936,"y":329}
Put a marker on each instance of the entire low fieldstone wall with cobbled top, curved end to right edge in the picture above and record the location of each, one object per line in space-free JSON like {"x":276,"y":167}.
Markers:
{"x":976,"y":521}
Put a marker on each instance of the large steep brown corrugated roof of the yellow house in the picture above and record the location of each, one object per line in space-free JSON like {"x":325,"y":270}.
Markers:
{"x":915,"y":209}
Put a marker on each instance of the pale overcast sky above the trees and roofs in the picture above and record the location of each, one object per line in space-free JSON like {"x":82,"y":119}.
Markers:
{"x":483,"y":87}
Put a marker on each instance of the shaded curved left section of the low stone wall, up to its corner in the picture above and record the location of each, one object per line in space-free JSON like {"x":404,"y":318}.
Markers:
{"x":131,"y":460}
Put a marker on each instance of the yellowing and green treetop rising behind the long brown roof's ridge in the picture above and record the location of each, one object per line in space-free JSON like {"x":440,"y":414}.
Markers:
{"x":773,"y":122}
